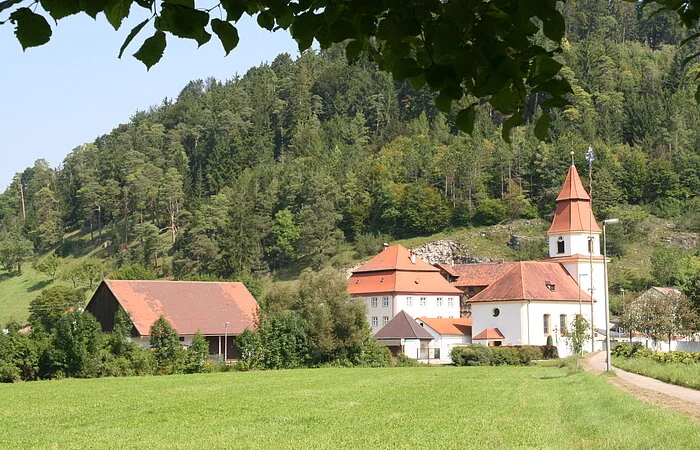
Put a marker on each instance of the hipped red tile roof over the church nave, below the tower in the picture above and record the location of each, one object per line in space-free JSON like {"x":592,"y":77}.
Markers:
{"x":529,"y":280}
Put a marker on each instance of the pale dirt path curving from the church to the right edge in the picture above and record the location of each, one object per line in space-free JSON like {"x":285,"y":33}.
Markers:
{"x":675,"y":398}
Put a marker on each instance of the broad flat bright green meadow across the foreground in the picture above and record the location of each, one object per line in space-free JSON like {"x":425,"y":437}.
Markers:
{"x":438,"y":407}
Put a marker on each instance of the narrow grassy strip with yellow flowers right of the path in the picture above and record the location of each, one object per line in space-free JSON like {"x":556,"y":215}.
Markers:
{"x":686,"y":375}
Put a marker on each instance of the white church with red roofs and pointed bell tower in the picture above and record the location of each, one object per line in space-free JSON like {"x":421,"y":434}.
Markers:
{"x":526,"y":302}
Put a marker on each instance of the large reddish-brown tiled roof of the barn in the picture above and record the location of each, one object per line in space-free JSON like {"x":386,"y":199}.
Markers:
{"x":188,"y":306}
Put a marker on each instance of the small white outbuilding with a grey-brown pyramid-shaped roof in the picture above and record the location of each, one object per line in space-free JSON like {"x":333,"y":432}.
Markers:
{"x":403,"y":335}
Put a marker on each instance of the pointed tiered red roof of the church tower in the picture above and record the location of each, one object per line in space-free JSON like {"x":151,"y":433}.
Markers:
{"x":573,"y":211}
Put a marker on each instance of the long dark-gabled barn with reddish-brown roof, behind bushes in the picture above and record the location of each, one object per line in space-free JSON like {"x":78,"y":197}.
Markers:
{"x":220,"y":311}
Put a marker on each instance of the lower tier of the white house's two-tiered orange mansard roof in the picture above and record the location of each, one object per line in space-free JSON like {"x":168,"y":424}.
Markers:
{"x":388,"y":282}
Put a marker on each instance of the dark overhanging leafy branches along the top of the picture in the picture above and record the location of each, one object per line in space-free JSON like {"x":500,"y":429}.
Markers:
{"x":491,"y":50}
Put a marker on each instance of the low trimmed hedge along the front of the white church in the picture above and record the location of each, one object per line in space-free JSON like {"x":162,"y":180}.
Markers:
{"x":481,"y":355}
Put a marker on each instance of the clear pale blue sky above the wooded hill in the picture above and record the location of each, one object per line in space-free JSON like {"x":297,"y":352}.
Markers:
{"x":73,"y":89}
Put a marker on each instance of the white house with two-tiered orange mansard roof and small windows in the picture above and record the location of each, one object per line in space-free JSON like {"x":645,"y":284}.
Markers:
{"x":397,"y":280}
